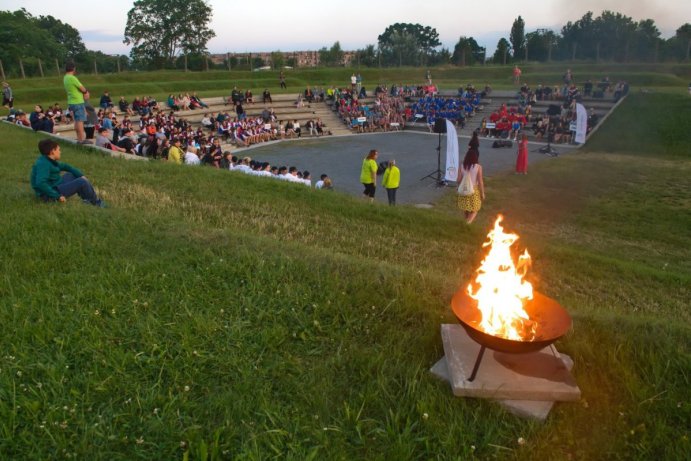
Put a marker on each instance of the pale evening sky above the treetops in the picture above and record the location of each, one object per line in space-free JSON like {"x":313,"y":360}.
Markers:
{"x":272,"y":25}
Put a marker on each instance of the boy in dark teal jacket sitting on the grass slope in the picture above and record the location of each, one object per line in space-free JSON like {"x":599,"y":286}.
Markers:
{"x":50,"y":186}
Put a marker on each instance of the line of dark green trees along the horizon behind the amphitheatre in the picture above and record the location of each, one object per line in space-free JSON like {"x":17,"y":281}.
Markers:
{"x":174,"y":34}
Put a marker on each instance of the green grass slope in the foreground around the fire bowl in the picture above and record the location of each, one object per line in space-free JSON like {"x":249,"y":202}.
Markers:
{"x":209,"y":315}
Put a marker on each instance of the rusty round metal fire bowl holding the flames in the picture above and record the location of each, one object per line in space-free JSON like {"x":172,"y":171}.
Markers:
{"x":552,"y":319}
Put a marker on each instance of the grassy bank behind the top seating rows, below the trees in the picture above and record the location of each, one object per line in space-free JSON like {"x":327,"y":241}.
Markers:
{"x":48,"y":90}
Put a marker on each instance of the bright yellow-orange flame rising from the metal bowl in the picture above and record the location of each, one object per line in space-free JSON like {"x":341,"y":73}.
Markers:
{"x":501,"y":291}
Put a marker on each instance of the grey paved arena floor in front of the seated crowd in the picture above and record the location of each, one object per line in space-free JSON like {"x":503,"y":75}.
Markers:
{"x":415,"y":153}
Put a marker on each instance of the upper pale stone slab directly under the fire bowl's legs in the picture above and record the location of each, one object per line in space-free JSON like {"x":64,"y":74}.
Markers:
{"x":540,"y":375}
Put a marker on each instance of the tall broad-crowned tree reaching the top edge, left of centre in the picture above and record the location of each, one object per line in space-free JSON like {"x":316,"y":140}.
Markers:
{"x":159,"y":30}
